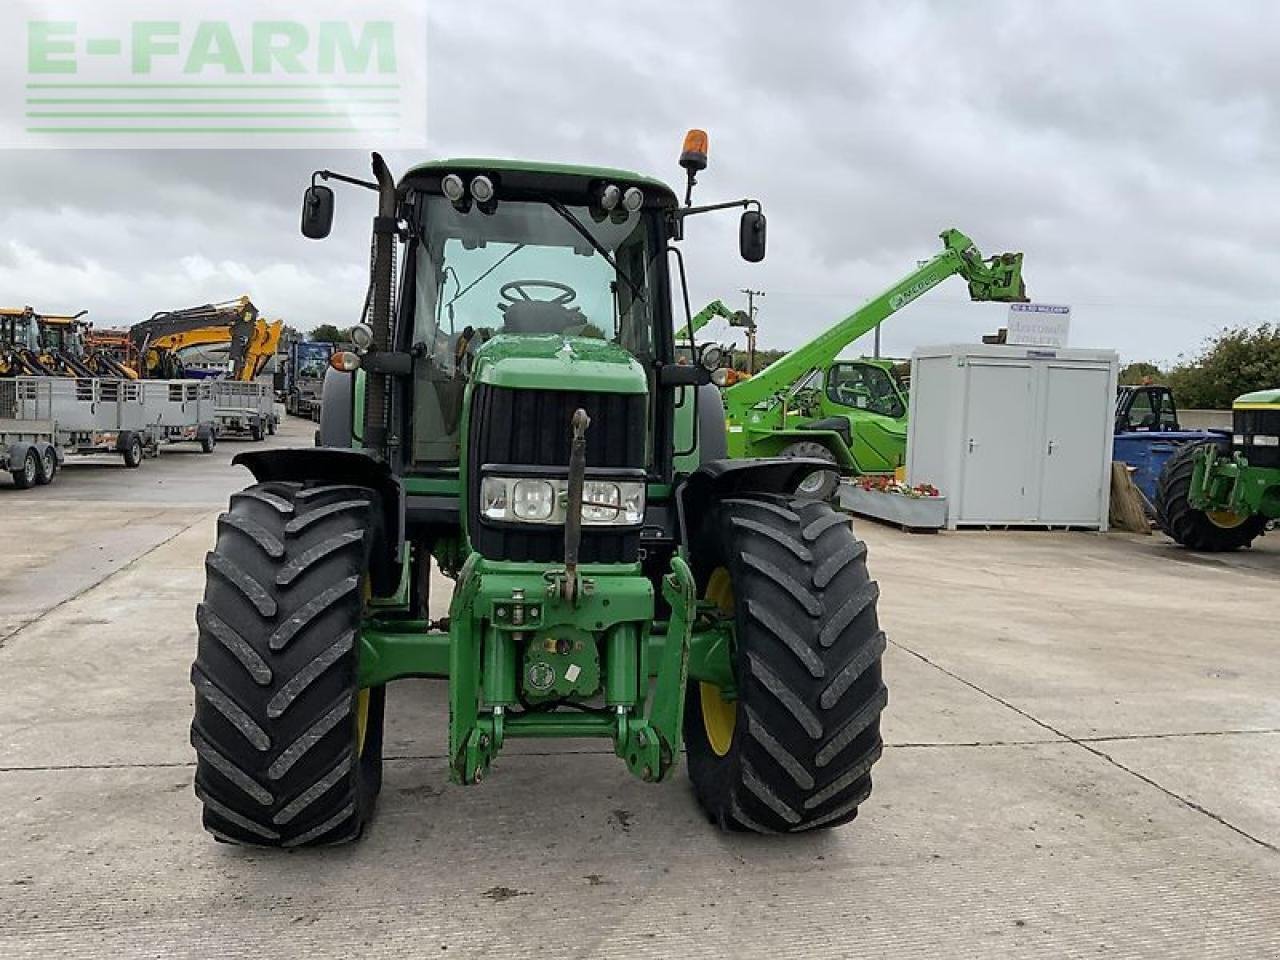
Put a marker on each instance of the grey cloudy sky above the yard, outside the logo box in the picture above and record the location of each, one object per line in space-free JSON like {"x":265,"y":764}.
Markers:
{"x":1131,"y":150}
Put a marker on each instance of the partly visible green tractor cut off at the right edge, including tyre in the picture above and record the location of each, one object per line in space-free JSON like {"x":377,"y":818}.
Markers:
{"x":1222,"y":495}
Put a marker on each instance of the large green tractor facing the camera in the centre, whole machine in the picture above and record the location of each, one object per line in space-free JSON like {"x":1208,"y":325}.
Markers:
{"x":513,"y":413}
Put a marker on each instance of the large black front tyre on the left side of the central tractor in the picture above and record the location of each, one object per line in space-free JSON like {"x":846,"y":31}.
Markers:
{"x":289,"y":748}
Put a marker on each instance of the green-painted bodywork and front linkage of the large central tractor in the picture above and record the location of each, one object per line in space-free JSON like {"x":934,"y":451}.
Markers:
{"x":524,"y":656}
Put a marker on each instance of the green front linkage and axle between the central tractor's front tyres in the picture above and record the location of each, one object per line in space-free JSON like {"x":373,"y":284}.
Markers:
{"x":515,"y":647}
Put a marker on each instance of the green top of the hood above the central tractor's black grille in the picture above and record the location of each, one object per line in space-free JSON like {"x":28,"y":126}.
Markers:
{"x":559,"y":363}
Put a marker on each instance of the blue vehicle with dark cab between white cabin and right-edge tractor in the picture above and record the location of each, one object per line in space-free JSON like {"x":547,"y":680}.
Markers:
{"x":1149,"y":433}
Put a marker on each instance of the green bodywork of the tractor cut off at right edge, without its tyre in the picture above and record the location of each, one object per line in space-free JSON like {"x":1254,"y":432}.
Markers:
{"x":1237,"y":483}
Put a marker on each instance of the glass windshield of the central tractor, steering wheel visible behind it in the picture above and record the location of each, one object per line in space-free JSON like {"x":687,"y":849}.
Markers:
{"x":523,"y":269}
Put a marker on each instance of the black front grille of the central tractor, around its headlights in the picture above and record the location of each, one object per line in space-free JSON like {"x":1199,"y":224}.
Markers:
{"x":532,"y":428}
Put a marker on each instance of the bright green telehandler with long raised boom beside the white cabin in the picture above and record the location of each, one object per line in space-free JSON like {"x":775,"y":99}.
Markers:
{"x":852,"y":413}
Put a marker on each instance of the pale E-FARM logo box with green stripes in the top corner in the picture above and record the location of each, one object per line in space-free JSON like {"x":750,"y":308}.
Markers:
{"x":266,"y":75}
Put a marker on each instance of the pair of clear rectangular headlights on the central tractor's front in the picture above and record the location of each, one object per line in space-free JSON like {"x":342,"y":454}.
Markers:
{"x":546,"y":500}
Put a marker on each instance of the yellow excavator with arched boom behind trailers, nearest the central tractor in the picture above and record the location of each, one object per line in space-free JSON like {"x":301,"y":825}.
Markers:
{"x":171,"y":344}
